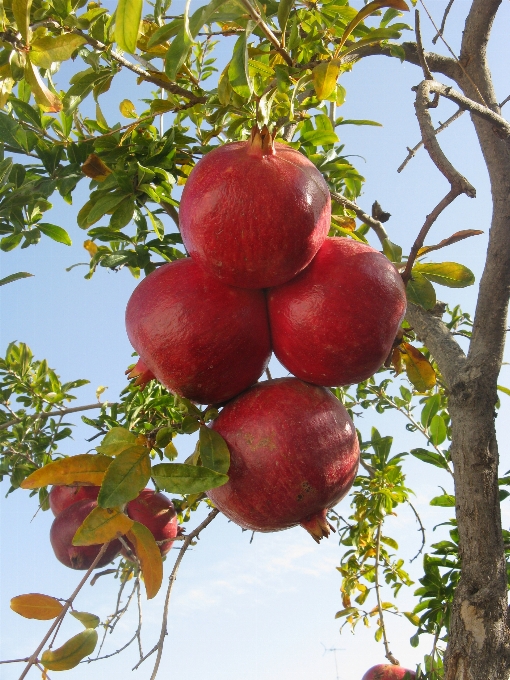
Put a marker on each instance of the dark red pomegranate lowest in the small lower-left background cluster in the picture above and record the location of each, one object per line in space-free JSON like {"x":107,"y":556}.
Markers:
{"x":62,"y":533}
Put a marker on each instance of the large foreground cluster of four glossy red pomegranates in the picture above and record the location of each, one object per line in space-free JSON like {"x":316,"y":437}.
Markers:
{"x":262,"y":276}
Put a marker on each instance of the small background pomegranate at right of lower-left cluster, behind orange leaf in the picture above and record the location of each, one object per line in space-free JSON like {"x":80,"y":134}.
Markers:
{"x":157,"y":513}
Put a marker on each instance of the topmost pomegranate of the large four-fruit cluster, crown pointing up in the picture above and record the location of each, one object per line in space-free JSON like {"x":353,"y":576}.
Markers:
{"x":254,"y":213}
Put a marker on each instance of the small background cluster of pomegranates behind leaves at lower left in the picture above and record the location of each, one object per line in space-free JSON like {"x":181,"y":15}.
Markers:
{"x":72,"y":504}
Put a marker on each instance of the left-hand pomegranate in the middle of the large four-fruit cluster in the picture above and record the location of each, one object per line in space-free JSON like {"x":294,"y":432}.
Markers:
{"x":203,"y":340}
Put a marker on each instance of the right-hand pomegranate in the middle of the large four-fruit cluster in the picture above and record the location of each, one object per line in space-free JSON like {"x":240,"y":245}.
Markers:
{"x":335,"y":323}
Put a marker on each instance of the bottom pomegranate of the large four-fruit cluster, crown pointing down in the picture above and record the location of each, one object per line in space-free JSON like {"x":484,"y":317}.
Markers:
{"x":294,"y":454}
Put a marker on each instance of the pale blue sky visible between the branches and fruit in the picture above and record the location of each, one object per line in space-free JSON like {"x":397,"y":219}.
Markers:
{"x":263,"y":611}
